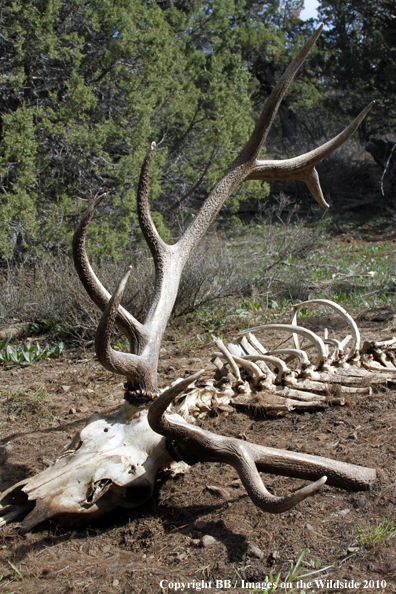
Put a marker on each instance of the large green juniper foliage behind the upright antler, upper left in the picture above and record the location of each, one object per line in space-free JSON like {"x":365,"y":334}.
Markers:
{"x":88,"y":85}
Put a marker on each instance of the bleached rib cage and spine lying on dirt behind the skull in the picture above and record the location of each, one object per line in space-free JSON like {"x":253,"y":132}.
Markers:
{"x":306,"y":385}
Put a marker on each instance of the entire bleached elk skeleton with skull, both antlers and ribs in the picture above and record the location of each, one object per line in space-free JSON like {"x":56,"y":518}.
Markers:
{"x":113,"y":461}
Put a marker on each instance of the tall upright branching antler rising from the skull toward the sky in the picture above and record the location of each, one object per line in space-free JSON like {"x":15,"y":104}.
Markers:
{"x":140,"y":365}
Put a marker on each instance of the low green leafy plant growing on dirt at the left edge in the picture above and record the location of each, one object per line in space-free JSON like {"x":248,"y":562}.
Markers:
{"x":27,"y":353}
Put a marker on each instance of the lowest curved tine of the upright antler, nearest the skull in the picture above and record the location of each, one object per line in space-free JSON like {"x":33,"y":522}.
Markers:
{"x":131,"y":366}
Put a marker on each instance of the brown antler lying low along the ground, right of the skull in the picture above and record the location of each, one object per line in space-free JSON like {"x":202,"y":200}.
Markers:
{"x":197,"y":445}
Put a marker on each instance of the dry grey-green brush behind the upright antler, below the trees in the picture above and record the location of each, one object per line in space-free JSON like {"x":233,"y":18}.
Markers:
{"x":243,"y":263}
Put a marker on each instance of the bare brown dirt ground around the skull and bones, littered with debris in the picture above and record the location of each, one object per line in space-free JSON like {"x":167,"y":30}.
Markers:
{"x":153,"y":549}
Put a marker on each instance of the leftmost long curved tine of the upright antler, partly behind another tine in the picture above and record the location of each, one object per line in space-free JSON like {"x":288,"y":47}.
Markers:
{"x":129,"y":326}
